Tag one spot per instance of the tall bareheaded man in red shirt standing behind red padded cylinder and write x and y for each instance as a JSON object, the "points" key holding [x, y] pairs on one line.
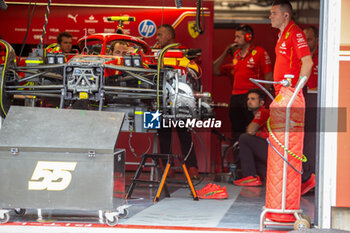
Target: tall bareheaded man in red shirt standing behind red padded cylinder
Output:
{"points": [[292, 52]]}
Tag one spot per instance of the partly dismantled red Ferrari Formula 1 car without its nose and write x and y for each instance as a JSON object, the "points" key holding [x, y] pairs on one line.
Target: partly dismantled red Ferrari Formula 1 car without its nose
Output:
{"points": [[136, 82]]}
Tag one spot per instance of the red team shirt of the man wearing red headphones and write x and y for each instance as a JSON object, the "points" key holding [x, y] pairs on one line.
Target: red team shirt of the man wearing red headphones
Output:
{"points": [[255, 65]]}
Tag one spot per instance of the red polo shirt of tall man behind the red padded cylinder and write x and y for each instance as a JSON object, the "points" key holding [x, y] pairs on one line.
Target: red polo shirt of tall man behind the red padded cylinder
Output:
{"points": [[290, 48]]}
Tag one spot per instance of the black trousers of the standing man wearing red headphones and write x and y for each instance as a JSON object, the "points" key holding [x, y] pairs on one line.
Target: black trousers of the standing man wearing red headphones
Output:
{"points": [[239, 115]]}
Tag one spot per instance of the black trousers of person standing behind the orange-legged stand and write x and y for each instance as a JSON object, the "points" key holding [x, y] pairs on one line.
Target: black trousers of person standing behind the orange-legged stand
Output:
{"points": [[185, 138]]}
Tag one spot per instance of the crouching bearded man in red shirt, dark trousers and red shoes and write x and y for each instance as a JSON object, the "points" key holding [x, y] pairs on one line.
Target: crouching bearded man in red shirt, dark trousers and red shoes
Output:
{"points": [[252, 143]]}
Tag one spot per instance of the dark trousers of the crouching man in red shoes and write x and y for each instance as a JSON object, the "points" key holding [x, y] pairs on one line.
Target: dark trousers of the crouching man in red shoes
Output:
{"points": [[253, 155]]}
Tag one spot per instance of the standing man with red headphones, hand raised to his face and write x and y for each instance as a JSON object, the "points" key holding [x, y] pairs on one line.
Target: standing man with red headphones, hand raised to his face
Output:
{"points": [[249, 61]]}
